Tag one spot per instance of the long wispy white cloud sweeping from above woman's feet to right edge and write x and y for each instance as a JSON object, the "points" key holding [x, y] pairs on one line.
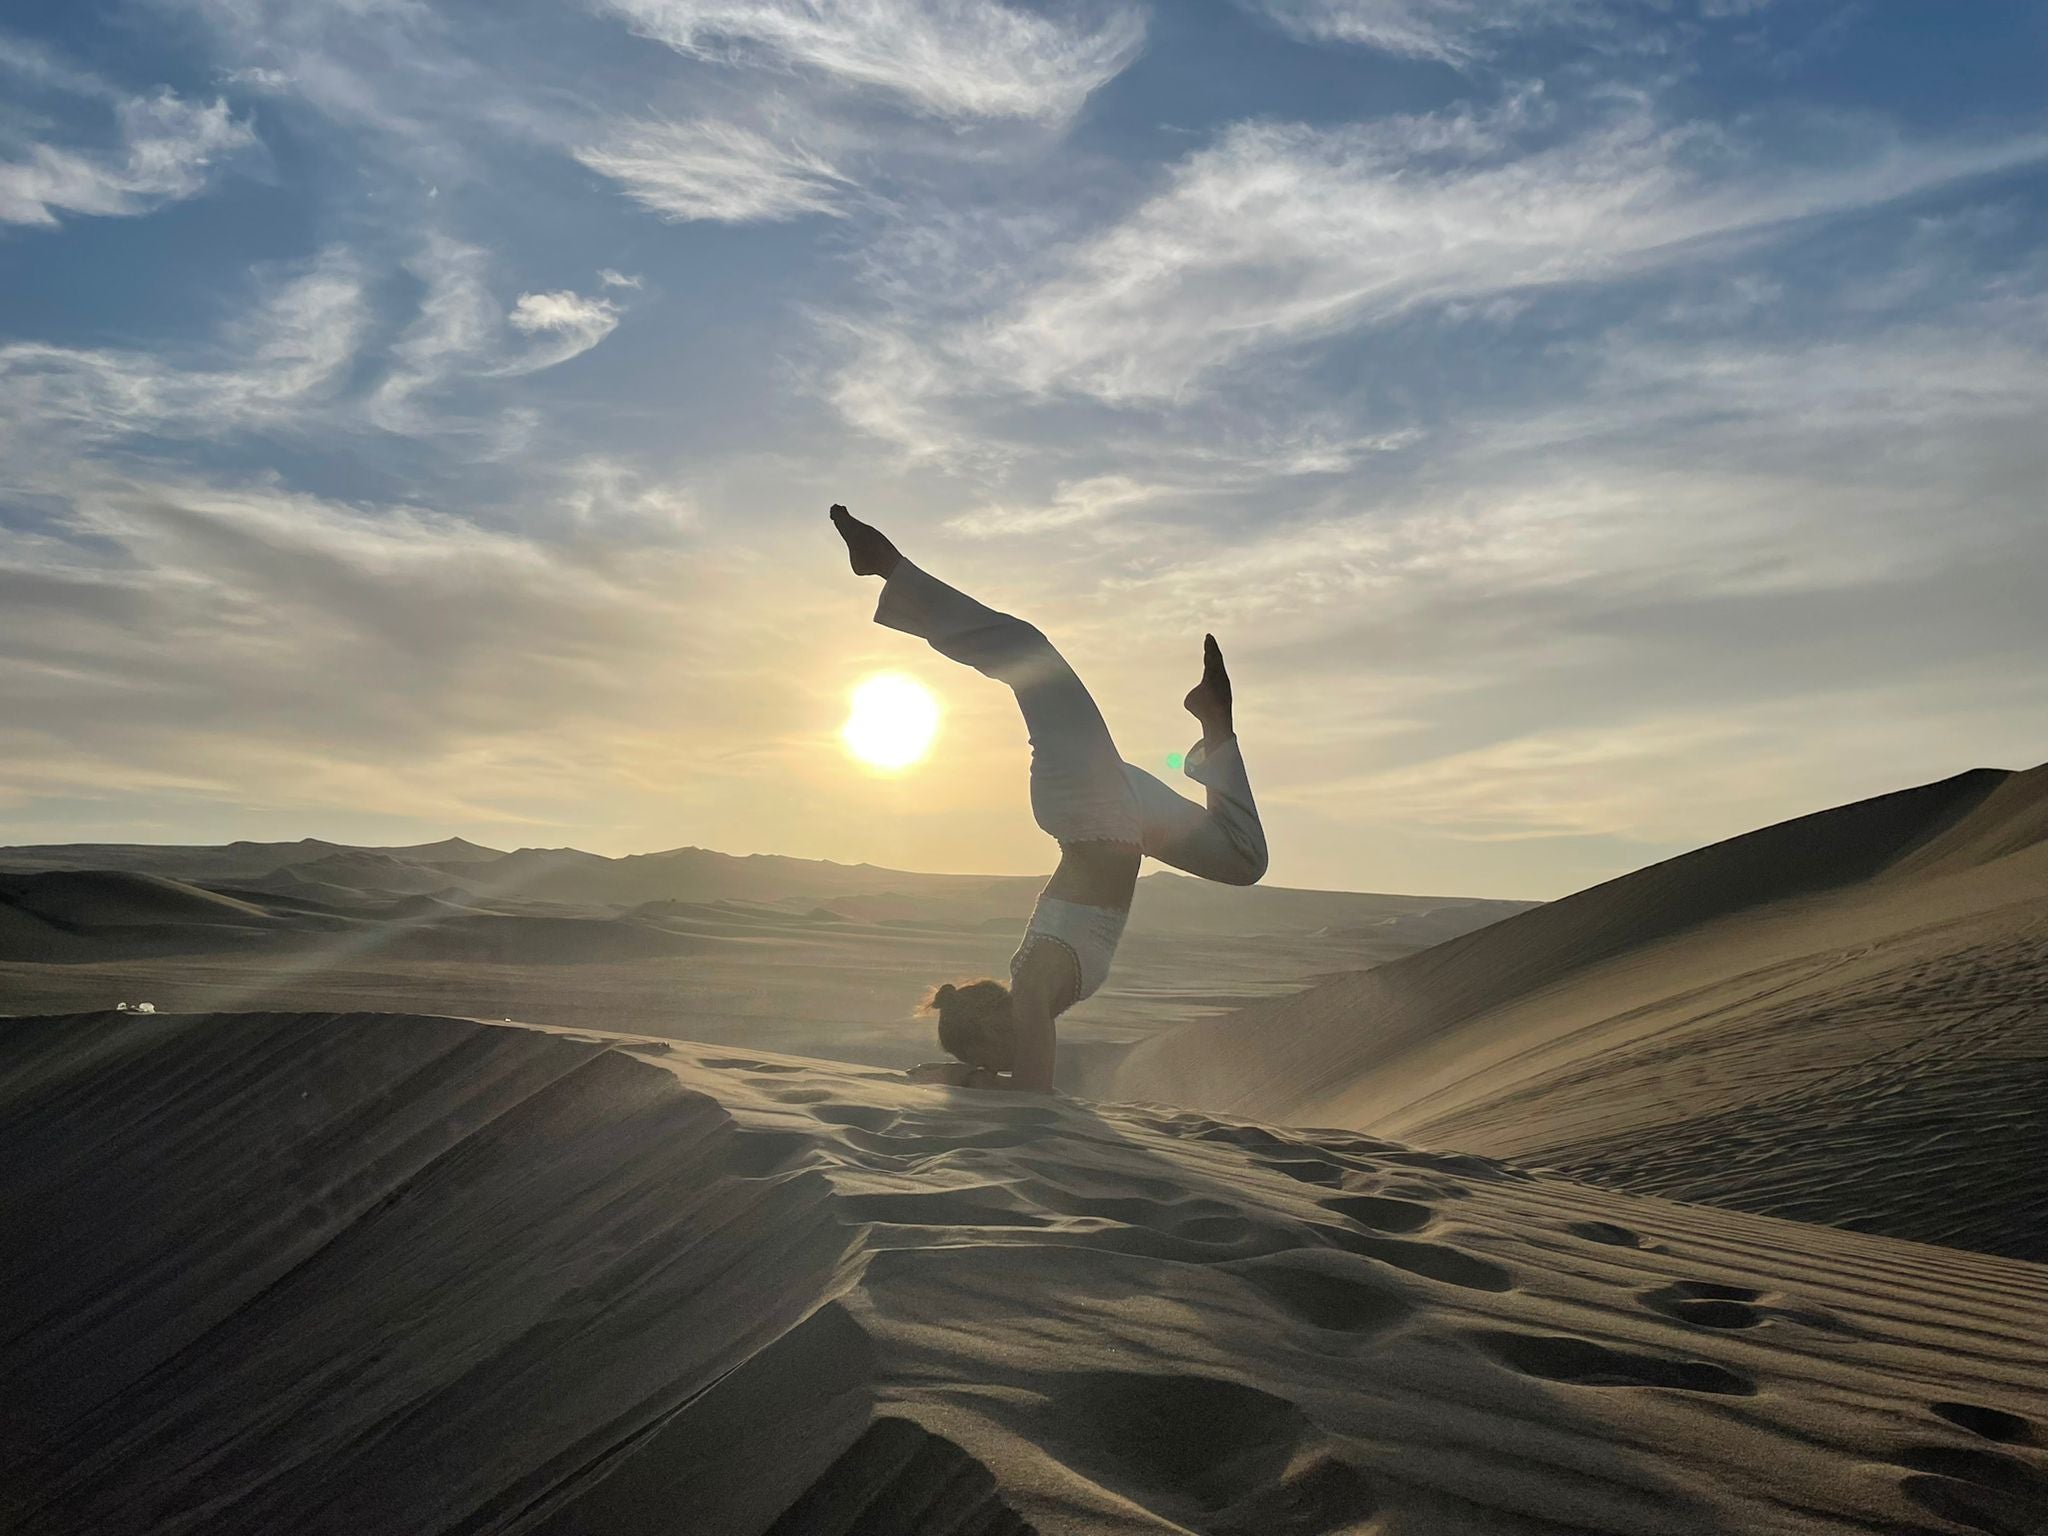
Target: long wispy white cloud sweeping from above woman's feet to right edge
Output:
{"points": [[1279, 237]]}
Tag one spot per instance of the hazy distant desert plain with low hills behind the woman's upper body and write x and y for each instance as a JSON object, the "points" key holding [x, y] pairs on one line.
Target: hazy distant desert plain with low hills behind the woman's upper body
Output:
{"points": [[777, 953]]}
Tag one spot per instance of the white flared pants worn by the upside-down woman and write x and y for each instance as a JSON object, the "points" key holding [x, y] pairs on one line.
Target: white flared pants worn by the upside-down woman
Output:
{"points": [[1080, 785]]}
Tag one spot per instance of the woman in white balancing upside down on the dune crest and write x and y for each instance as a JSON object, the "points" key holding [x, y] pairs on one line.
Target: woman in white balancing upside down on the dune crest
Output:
{"points": [[1105, 812]]}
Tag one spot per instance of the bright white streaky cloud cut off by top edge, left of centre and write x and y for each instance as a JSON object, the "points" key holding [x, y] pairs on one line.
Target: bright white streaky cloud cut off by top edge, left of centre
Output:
{"points": [[949, 58]]}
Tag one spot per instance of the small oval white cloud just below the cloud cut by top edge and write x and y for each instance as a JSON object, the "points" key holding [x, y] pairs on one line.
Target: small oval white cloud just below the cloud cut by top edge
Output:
{"points": [[716, 171]]}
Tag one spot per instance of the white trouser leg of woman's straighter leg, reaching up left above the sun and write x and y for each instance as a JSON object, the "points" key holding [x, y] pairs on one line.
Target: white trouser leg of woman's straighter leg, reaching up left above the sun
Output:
{"points": [[1078, 790]]}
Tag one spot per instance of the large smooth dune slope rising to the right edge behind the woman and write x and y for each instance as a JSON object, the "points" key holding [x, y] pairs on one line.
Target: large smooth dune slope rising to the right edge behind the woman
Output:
{"points": [[1838, 1019]]}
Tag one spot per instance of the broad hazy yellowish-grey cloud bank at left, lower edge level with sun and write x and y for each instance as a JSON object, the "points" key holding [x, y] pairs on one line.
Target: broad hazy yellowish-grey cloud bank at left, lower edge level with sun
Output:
{"points": [[216, 630]]}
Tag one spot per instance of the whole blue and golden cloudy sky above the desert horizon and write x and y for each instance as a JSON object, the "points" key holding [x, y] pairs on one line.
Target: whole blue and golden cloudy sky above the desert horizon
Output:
{"points": [[1590, 427]]}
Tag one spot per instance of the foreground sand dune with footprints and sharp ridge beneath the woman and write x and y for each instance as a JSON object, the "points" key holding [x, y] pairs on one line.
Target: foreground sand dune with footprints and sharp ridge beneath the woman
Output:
{"points": [[409, 1275]]}
